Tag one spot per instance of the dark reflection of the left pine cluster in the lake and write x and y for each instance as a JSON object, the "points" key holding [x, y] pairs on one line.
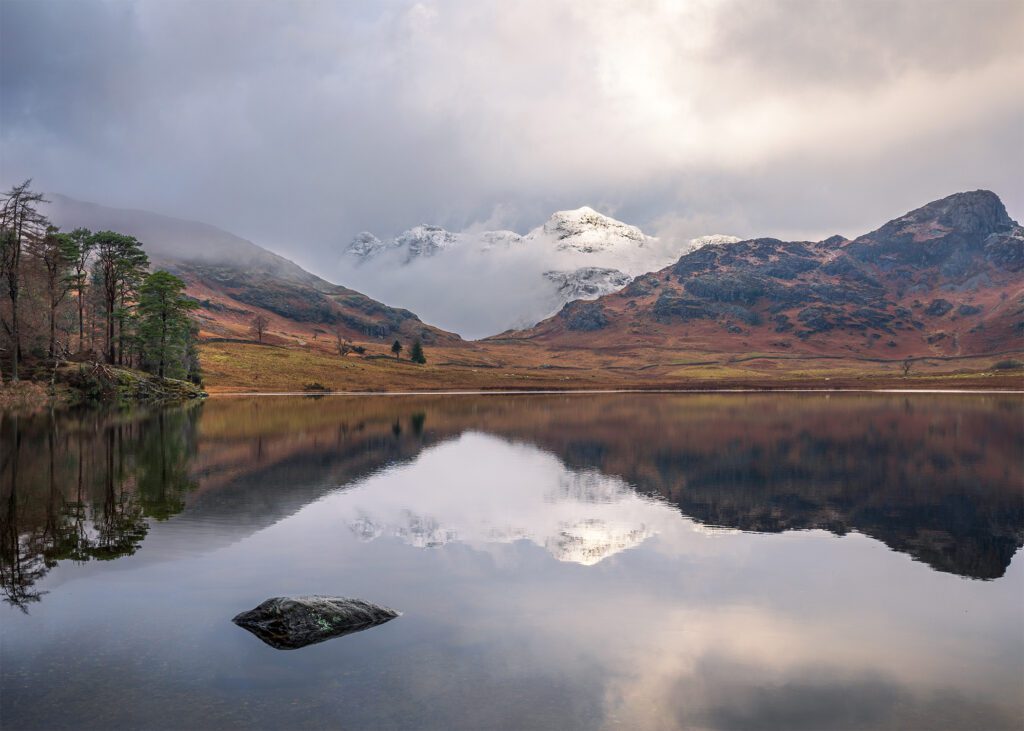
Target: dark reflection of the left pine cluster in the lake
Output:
{"points": [[83, 488]]}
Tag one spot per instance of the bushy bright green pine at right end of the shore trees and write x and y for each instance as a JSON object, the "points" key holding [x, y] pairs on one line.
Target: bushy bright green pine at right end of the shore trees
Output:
{"points": [[163, 324]]}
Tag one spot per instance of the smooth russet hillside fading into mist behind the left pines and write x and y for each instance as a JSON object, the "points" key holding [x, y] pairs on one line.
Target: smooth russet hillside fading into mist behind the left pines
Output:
{"points": [[235, 280]]}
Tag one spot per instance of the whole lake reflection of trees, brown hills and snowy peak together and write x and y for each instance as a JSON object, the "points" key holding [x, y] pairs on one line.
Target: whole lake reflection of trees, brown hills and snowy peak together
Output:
{"points": [[937, 478]]}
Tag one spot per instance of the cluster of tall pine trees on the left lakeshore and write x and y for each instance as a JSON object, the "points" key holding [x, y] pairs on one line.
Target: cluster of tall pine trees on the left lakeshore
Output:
{"points": [[87, 295]]}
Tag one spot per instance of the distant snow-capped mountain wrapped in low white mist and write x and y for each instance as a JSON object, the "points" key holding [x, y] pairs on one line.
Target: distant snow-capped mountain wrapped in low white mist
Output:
{"points": [[576, 254]]}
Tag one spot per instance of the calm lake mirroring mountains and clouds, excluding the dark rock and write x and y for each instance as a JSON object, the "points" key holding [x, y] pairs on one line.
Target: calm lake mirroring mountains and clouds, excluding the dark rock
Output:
{"points": [[563, 562]]}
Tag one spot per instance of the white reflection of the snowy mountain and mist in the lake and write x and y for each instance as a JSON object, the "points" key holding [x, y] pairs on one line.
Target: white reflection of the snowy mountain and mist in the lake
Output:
{"points": [[581, 518]]}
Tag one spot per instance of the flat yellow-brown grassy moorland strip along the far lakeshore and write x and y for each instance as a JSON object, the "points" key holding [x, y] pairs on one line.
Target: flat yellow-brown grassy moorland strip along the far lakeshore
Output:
{"points": [[246, 367]]}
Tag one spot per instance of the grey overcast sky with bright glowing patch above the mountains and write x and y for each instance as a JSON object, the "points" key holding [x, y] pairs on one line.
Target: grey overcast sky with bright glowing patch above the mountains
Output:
{"points": [[298, 124]]}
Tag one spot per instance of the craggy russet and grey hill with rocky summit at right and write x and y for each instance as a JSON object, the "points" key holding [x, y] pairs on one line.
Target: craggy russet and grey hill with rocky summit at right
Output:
{"points": [[945, 280]]}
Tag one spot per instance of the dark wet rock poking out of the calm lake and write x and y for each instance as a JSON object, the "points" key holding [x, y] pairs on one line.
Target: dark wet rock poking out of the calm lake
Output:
{"points": [[288, 624]]}
